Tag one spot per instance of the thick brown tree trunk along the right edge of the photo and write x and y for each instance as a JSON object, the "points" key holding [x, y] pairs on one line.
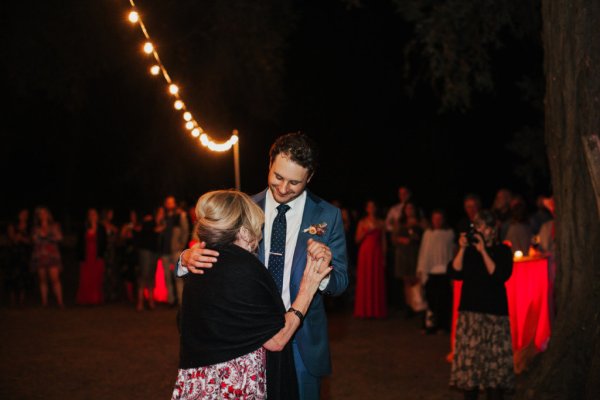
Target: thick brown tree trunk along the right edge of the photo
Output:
{"points": [[570, 367]]}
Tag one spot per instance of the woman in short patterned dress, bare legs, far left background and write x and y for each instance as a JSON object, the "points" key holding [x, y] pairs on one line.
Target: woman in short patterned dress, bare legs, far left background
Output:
{"points": [[45, 258]]}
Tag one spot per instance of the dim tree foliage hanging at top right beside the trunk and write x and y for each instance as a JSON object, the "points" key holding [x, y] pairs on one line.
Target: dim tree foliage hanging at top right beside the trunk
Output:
{"points": [[454, 41]]}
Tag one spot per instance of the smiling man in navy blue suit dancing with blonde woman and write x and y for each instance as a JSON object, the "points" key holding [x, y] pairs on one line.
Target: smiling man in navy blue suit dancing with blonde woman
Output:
{"points": [[312, 227]]}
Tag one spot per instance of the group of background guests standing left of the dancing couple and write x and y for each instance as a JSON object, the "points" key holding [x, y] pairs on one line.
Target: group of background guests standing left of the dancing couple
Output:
{"points": [[115, 261]]}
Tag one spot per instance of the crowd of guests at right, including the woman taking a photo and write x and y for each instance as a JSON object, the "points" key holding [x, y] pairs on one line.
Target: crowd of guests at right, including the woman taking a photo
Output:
{"points": [[423, 254]]}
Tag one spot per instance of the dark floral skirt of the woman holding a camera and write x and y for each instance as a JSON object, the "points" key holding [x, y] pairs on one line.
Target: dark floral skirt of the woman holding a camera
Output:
{"points": [[483, 356]]}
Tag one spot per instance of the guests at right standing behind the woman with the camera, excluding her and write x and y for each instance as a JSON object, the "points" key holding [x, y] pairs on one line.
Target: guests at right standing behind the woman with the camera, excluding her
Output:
{"points": [[401, 254]]}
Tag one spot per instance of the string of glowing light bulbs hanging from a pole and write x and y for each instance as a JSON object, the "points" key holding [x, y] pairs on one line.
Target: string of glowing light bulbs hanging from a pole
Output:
{"points": [[158, 68]]}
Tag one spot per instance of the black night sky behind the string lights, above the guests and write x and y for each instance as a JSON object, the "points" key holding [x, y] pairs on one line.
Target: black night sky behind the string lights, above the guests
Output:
{"points": [[86, 125]]}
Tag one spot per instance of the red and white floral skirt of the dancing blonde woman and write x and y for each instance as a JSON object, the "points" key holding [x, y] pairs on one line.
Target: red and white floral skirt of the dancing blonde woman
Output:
{"points": [[241, 378]]}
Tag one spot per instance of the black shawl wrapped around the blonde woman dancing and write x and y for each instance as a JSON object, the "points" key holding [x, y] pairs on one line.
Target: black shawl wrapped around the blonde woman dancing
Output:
{"points": [[231, 310]]}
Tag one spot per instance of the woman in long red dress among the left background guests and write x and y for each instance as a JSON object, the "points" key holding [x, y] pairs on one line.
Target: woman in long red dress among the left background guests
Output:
{"points": [[91, 269]]}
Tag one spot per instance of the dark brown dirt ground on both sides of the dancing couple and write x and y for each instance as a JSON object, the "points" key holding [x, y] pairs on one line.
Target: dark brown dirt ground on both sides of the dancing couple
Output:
{"points": [[114, 352]]}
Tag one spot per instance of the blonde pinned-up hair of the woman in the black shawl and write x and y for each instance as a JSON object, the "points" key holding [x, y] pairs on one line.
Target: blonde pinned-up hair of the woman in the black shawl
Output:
{"points": [[222, 213]]}
